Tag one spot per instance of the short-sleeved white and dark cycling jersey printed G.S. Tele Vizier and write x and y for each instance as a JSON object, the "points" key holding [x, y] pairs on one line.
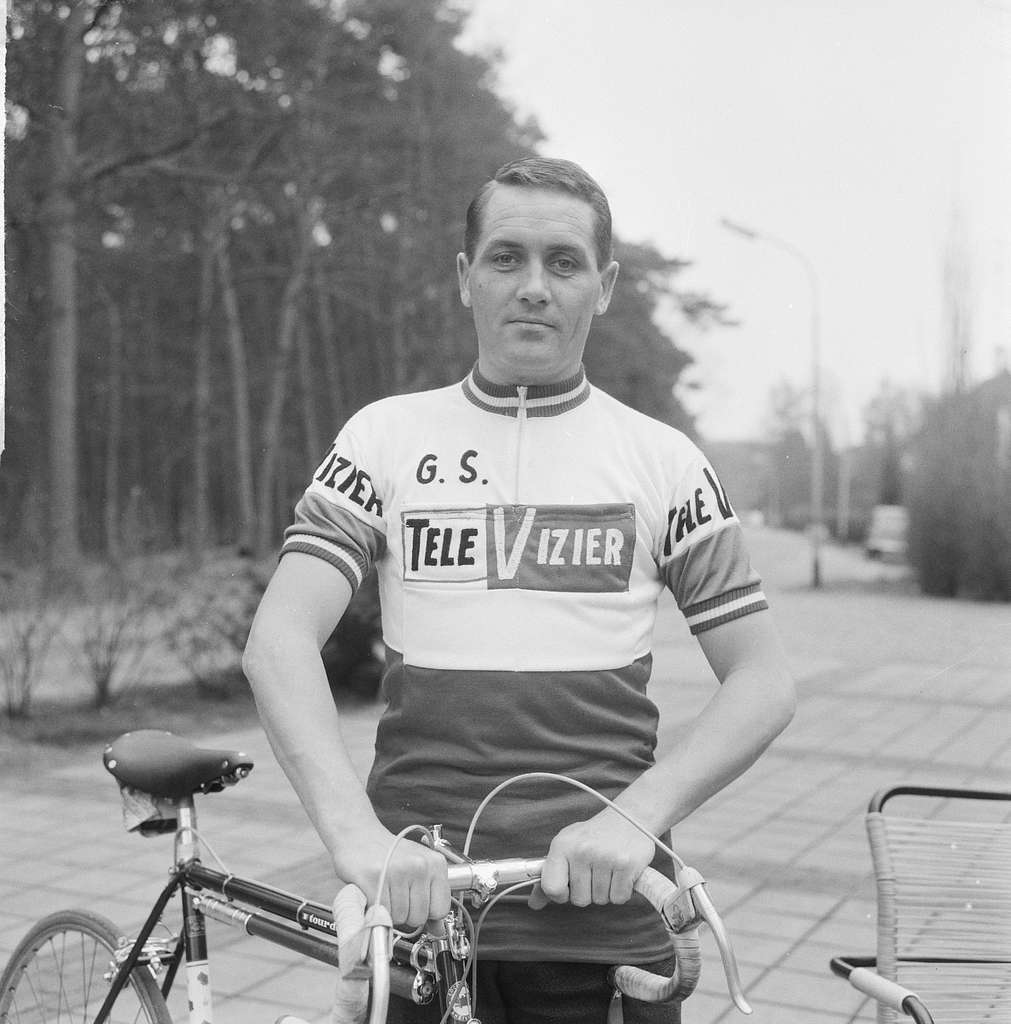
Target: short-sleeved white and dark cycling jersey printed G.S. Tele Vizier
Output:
{"points": [[523, 537]]}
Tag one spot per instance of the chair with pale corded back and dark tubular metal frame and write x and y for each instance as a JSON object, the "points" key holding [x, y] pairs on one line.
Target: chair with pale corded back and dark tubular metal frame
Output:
{"points": [[944, 880]]}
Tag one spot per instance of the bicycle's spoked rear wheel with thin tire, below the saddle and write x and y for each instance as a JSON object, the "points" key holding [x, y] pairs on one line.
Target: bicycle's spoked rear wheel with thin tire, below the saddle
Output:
{"points": [[56, 975]]}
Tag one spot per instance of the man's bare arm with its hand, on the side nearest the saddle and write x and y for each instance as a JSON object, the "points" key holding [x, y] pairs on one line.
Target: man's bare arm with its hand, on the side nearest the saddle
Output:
{"points": [[303, 604]]}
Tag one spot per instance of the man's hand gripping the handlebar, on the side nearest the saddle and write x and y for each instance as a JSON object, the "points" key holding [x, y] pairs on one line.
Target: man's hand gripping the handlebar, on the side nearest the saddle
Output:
{"points": [[417, 886]]}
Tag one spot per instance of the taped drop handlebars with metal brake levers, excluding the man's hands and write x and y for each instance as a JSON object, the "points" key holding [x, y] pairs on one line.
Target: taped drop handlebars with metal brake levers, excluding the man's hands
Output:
{"points": [[684, 907]]}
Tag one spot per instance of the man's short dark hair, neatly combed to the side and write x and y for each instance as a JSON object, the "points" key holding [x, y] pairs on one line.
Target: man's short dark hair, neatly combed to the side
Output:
{"points": [[544, 173]]}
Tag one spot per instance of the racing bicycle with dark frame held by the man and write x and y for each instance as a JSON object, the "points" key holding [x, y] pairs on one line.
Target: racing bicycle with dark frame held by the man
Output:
{"points": [[74, 965]]}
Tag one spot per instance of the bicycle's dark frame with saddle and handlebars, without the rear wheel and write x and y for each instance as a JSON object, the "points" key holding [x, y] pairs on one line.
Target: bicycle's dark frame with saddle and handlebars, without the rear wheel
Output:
{"points": [[413, 968]]}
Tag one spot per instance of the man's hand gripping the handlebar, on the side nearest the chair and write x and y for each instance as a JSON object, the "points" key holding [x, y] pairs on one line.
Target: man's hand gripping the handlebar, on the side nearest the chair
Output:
{"points": [[594, 862]]}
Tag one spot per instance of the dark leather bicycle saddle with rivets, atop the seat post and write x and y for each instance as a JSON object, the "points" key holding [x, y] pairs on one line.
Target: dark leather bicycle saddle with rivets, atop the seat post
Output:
{"points": [[165, 765]]}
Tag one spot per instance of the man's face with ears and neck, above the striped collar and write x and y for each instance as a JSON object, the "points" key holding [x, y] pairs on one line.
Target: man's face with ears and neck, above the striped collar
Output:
{"points": [[534, 285]]}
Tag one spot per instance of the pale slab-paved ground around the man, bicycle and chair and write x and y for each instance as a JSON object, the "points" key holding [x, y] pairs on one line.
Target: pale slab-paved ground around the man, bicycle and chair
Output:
{"points": [[894, 689]]}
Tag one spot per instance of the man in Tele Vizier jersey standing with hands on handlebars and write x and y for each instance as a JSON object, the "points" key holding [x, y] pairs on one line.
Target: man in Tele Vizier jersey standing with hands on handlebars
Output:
{"points": [[524, 525]]}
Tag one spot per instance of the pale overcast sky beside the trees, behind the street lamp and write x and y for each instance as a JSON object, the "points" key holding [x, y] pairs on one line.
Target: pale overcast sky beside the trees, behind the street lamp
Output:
{"points": [[866, 135]]}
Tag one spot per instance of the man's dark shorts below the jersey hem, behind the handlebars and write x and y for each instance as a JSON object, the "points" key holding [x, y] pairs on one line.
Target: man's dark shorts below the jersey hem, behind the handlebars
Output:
{"points": [[541, 993]]}
